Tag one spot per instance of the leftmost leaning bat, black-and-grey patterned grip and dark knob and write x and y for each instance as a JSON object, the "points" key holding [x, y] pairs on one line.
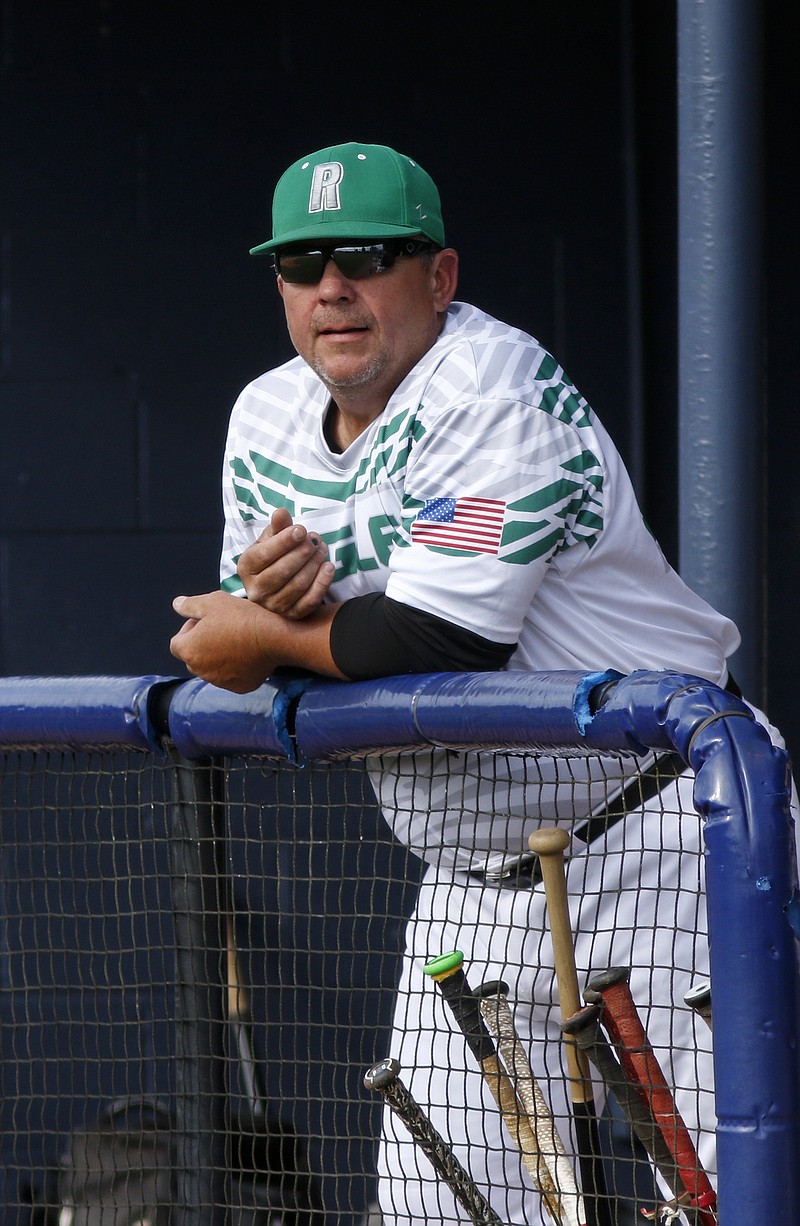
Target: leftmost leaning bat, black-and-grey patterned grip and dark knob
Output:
{"points": [[385, 1079]]}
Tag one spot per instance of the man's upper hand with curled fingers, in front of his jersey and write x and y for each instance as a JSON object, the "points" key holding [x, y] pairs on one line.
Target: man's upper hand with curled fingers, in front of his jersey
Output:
{"points": [[287, 569]]}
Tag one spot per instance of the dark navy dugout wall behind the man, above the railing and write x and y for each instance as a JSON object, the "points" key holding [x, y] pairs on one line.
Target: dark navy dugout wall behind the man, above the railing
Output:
{"points": [[139, 150]]}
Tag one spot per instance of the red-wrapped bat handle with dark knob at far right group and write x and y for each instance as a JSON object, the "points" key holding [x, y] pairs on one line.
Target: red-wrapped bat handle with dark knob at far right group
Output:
{"points": [[628, 1034]]}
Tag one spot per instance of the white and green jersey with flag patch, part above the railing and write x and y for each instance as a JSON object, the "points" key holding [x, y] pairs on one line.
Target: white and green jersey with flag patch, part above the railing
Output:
{"points": [[487, 493]]}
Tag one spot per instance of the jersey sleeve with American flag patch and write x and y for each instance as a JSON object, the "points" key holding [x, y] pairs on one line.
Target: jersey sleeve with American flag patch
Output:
{"points": [[496, 491]]}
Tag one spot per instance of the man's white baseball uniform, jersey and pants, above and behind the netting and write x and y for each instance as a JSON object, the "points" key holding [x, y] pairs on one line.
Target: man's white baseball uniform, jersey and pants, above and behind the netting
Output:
{"points": [[489, 495]]}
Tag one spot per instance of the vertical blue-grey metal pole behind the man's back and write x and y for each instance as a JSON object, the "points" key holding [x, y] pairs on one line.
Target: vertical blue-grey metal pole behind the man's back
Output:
{"points": [[721, 378]]}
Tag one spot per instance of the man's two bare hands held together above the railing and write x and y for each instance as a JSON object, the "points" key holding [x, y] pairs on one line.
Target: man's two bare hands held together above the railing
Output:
{"points": [[237, 644]]}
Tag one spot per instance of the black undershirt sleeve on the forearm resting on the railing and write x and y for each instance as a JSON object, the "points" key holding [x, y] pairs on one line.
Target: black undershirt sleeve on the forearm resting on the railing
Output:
{"points": [[374, 636]]}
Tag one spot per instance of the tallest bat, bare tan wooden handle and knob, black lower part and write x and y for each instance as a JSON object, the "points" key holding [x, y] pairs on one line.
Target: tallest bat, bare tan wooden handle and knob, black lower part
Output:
{"points": [[549, 844]]}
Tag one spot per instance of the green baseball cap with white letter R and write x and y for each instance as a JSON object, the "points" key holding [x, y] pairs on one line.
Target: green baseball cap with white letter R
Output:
{"points": [[356, 192]]}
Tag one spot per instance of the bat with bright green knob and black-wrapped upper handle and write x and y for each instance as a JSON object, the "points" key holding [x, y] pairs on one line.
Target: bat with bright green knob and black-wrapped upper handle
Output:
{"points": [[448, 973]]}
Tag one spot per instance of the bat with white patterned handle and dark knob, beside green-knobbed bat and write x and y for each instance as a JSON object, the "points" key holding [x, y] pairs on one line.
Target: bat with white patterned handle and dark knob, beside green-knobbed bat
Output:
{"points": [[554, 1165]]}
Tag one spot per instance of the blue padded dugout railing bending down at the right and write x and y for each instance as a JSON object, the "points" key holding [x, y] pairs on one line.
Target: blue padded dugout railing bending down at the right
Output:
{"points": [[743, 793]]}
